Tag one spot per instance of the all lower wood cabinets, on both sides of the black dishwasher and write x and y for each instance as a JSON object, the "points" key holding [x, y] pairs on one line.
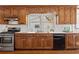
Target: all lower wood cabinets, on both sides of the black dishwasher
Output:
{"points": [[43, 41]]}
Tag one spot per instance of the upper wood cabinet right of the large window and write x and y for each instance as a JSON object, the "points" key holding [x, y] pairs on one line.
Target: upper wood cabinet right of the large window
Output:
{"points": [[67, 14]]}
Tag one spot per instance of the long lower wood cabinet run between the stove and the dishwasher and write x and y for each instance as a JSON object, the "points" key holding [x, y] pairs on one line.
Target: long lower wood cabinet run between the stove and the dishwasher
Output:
{"points": [[33, 41]]}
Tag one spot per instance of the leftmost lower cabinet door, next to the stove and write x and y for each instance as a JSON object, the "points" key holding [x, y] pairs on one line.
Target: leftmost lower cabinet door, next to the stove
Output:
{"points": [[19, 43]]}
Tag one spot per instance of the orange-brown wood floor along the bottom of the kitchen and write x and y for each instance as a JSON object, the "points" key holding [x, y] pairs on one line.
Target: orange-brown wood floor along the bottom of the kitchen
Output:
{"points": [[42, 52]]}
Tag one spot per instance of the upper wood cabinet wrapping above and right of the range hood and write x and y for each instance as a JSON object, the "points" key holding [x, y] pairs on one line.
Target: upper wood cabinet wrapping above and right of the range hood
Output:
{"points": [[19, 12]]}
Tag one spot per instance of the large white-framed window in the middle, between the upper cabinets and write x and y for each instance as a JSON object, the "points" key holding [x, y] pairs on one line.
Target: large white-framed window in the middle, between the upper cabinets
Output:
{"points": [[41, 22]]}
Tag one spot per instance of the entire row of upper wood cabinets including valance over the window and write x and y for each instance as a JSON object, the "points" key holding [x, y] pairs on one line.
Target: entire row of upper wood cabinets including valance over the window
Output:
{"points": [[67, 14]]}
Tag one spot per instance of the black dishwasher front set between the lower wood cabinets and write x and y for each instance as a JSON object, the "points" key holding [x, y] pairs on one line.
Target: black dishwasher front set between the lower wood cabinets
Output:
{"points": [[59, 41]]}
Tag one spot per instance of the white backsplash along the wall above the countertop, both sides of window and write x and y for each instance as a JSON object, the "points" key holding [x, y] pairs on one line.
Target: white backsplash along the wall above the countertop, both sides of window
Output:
{"points": [[55, 28]]}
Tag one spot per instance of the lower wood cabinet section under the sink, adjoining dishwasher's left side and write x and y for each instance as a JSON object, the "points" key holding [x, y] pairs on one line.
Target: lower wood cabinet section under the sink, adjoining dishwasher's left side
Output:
{"points": [[43, 41]]}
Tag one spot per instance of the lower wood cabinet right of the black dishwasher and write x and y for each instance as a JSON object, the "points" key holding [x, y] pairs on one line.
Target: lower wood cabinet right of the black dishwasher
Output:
{"points": [[72, 41]]}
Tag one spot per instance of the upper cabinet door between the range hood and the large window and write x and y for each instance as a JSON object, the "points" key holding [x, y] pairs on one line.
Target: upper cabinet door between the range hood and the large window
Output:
{"points": [[22, 15]]}
